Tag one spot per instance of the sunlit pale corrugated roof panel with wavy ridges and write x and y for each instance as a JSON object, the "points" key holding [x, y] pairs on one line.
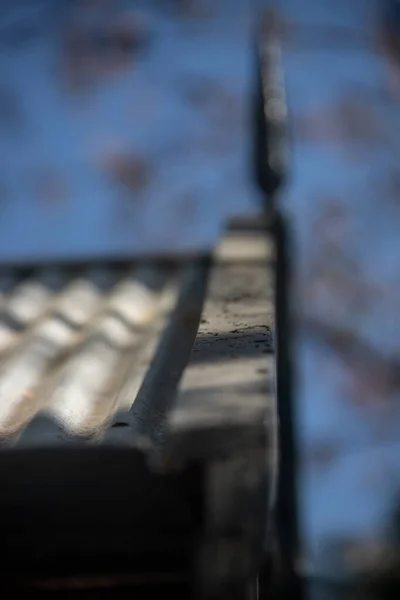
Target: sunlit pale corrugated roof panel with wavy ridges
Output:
{"points": [[69, 337]]}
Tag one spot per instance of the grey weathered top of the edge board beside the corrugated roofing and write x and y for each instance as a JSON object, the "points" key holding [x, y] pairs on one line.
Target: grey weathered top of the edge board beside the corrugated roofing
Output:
{"points": [[226, 396]]}
